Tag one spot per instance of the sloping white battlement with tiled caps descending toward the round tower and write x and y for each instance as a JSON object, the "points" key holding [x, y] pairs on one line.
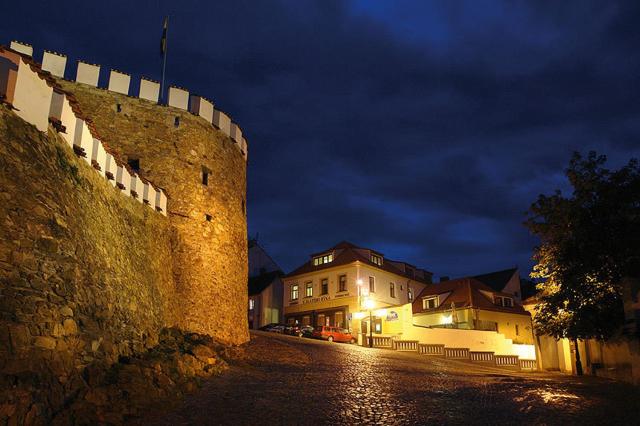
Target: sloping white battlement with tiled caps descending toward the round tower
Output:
{"points": [[38, 99]]}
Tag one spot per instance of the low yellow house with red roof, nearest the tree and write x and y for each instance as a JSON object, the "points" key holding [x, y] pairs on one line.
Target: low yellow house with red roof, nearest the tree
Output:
{"points": [[467, 303]]}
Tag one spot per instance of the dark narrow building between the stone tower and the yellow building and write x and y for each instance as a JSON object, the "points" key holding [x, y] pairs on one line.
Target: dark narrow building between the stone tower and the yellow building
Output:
{"points": [[265, 288]]}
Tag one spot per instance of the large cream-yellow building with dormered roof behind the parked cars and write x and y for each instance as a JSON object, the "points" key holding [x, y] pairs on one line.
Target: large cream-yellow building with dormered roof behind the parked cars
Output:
{"points": [[332, 286]]}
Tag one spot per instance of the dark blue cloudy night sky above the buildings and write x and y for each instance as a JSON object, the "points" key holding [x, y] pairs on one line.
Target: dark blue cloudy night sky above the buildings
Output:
{"points": [[421, 129]]}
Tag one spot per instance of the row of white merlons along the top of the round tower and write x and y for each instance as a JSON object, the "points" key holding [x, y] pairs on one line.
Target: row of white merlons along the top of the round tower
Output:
{"points": [[120, 82]]}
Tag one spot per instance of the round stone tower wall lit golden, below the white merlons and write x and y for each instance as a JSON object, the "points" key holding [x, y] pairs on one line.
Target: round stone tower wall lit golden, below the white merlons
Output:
{"points": [[174, 148]]}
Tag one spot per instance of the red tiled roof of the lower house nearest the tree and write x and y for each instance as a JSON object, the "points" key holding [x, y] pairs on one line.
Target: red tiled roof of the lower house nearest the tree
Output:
{"points": [[464, 293]]}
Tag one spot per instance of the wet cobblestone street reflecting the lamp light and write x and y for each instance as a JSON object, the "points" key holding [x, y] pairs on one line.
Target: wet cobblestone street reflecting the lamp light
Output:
{"points": [[289, 380]]}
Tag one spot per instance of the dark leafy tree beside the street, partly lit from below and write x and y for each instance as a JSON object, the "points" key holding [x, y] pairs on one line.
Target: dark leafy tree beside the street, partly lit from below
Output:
{"points": [[589, 242]]}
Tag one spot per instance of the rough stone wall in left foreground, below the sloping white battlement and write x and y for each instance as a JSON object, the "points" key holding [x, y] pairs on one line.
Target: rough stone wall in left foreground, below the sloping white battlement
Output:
{"points": [[86, 273]]}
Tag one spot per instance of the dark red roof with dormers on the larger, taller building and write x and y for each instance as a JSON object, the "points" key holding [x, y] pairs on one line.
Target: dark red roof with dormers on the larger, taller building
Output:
{"points": [[345, 253]]}
